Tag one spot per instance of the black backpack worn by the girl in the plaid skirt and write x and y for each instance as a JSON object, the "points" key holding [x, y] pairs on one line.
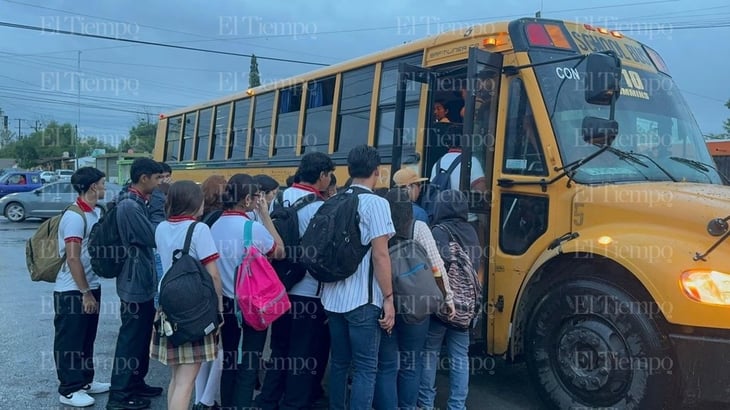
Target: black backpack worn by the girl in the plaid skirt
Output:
{"points": [[187, 297]]}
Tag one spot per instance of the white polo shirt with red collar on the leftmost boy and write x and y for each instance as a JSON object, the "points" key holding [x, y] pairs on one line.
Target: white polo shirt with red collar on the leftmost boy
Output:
{"points": [[71, 229]]}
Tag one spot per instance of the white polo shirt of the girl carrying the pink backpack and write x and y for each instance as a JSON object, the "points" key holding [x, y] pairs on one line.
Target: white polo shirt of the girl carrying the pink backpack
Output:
{"points": [[227, 234]]}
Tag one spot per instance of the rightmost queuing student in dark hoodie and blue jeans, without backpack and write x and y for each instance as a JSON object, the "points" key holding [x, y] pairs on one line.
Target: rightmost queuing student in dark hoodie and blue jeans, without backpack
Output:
{"points": [[452, 209]]}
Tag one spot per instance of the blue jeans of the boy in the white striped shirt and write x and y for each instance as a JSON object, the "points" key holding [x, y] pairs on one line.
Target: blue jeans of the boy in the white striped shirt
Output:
{"points": [[355, 341]]}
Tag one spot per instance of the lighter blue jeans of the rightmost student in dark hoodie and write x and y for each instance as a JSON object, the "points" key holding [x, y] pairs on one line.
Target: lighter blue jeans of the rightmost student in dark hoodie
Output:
{"points": [[457, 344]]}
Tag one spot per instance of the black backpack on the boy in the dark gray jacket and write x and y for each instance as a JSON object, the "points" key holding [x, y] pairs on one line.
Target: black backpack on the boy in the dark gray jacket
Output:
{"points": [[105, 246]]}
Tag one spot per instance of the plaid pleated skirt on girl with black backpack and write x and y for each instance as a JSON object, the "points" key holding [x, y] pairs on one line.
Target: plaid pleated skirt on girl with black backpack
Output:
{"points": [[197, 351]]}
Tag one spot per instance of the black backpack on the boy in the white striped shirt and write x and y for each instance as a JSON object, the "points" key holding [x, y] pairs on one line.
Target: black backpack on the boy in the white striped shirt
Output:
{"points": [[331, 244]]}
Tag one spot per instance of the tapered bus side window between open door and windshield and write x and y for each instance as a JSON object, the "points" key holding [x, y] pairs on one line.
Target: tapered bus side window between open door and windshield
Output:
{"points": [[523, 152]]}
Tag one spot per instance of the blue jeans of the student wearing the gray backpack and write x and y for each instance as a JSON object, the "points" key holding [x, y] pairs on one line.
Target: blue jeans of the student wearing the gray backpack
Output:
{"points": [[396, 385]]}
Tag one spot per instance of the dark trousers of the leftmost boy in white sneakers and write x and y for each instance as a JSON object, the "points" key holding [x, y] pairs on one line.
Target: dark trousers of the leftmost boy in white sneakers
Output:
{"points": [[73, 342]]}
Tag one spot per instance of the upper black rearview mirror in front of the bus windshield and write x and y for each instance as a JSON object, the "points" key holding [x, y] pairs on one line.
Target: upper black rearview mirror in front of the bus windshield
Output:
{"points": [[603, 78]]}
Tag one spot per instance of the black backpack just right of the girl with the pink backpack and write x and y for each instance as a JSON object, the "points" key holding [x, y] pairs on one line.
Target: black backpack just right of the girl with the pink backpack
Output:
{"points": [[286, 222]]}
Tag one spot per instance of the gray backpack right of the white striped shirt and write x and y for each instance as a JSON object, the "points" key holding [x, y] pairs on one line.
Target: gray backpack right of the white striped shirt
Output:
{"points": [[416, 293]]}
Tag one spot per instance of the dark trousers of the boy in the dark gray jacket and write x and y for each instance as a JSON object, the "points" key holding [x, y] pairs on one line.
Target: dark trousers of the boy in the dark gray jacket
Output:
{"points": [[132, 355]]}
